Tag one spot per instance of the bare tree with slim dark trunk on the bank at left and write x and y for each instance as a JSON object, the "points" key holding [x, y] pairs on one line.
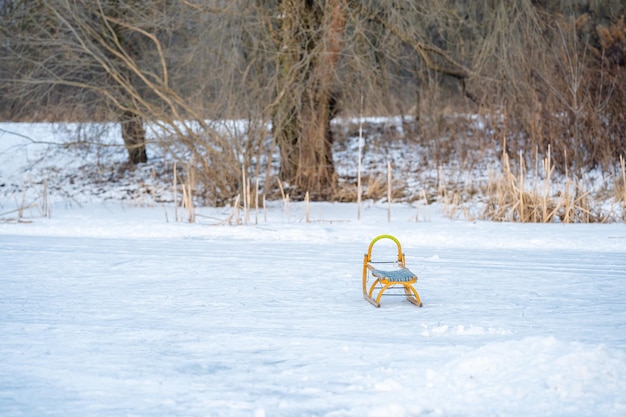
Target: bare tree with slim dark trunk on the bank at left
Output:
{"points": [[84, 48]]}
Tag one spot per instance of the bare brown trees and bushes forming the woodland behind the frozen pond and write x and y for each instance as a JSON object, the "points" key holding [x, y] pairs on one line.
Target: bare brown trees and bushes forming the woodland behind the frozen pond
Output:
{"points": [[547, 79]]}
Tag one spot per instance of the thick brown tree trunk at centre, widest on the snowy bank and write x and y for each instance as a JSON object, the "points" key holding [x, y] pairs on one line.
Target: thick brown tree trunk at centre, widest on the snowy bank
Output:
{"points": [[311, 40]]}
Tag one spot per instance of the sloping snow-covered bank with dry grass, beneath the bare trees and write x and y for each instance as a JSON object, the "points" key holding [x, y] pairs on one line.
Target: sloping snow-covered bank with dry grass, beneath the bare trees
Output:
{"points": [[72, 164]]}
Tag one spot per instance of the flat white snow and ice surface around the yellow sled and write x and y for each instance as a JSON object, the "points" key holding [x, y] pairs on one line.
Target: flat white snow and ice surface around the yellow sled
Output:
{"points": [[111, 308]]}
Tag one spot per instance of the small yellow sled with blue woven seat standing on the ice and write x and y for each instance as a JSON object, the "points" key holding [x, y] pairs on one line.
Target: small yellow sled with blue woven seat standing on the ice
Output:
{"points": [[383, 280]]}
